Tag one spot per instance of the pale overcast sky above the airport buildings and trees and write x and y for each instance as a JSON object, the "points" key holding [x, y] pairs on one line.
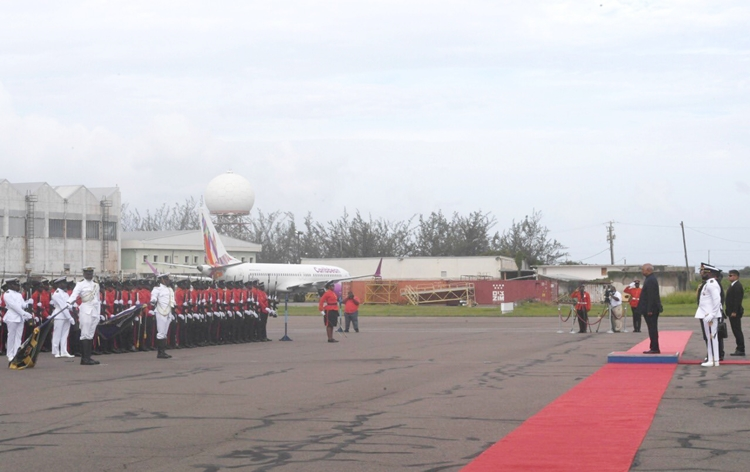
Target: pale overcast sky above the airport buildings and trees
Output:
{"points": [[631, 112]]}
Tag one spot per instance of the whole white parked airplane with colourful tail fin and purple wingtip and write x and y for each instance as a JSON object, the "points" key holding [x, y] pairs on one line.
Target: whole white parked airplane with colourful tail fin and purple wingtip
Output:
{"points": [[277, 277]]}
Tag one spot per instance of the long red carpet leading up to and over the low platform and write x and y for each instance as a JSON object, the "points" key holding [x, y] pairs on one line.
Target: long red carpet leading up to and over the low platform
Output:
{"points": [[598, 425]]}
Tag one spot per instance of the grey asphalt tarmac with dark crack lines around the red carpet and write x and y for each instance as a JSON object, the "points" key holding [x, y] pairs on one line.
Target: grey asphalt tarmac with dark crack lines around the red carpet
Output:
{"points": [[404, 394]]}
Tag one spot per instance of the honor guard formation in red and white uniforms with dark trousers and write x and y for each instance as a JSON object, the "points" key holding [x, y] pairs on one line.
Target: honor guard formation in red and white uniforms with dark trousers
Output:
{"points": [[195, 313]]}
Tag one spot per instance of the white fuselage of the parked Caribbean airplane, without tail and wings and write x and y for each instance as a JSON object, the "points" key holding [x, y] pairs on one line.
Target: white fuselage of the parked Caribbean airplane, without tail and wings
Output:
{"points": [[279, 277]]}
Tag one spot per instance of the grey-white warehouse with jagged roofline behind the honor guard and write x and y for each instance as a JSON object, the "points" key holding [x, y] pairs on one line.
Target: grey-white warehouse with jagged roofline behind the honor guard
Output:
{"points": [[49, 231]]}
